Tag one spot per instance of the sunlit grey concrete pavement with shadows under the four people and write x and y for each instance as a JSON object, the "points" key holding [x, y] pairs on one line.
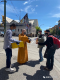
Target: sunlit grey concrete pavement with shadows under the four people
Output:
{"points": [[32, 70]]}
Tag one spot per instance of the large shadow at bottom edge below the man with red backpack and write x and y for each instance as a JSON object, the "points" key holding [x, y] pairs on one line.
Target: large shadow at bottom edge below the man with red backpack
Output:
{"points": [[39, 75]]}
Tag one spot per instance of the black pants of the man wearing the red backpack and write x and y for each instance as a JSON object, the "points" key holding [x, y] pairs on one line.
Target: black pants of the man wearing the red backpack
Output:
{"points": [[50, 58]]}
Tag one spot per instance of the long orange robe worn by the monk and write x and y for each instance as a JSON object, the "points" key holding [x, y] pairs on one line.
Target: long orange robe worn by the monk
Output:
{"points": [[22, 51]]}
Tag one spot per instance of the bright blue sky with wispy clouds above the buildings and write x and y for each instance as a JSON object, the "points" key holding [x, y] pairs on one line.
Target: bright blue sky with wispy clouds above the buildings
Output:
{"points": [[46, 11]]}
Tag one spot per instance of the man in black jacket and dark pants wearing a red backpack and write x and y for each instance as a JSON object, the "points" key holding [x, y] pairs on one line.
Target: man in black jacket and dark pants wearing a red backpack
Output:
{"points": [[50, 51]]}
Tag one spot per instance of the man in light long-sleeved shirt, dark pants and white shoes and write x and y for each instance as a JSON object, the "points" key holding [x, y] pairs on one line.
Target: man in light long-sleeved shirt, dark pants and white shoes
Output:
{"points": [[7, 46]]}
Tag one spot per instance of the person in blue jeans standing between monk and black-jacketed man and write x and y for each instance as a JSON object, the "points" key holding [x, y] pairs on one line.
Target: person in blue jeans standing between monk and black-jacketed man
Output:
{"points": [[40, 39]]}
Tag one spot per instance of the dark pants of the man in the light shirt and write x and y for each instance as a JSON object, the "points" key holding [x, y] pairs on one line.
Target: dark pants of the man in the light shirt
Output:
{"points": [[8, 57]]}
